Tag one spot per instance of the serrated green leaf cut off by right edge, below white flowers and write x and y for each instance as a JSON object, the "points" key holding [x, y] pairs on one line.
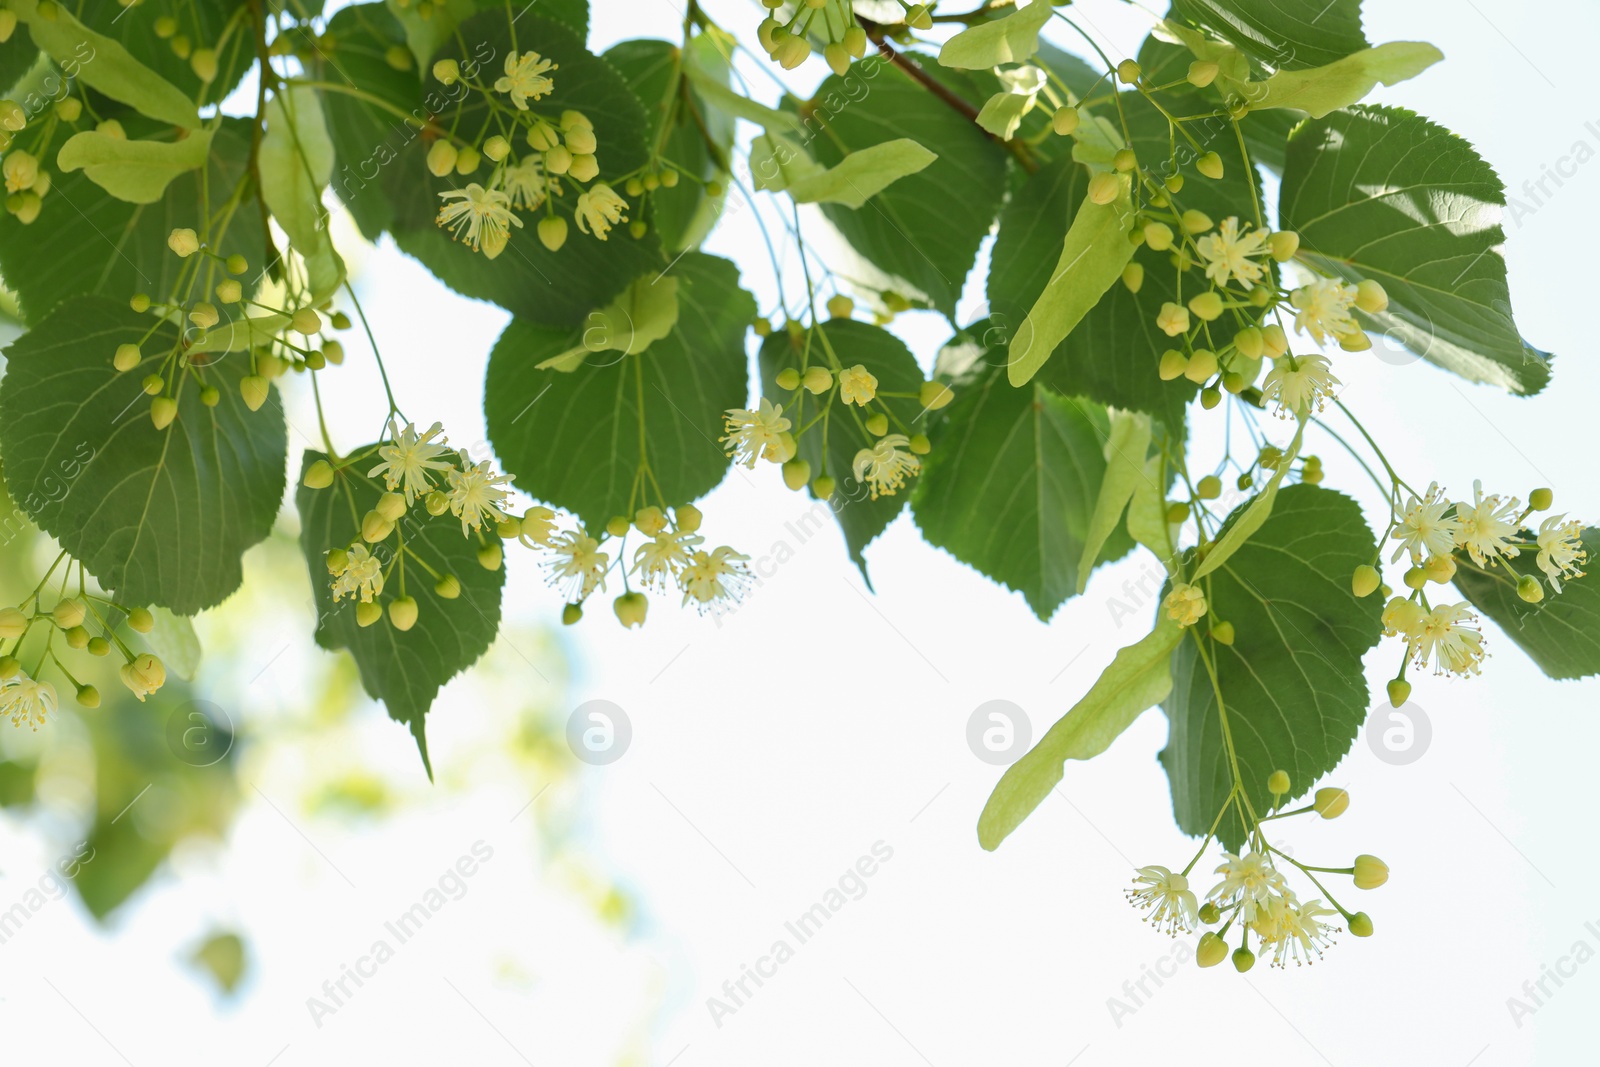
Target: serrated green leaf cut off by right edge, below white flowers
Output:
{"points": [[1561, 633]]}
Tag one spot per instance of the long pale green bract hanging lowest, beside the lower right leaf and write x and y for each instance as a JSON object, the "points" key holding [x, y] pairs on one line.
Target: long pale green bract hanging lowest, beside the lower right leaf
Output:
{"points": [[1138, 679]]}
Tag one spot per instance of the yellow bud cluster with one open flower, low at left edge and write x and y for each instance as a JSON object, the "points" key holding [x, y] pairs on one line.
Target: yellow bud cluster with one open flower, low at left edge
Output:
{"points": [[86, 623]]}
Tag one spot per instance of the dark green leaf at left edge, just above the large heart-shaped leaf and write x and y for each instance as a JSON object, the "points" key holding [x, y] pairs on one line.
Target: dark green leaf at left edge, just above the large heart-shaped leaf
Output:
{"points": [[103, 246]]}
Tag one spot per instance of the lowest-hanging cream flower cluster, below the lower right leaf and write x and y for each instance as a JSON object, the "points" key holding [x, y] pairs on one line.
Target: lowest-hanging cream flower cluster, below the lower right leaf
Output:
{"points": [[1254, 892]]}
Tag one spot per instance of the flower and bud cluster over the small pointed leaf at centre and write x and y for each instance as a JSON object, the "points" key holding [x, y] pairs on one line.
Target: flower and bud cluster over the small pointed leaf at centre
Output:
{"points": [[846, 401]]}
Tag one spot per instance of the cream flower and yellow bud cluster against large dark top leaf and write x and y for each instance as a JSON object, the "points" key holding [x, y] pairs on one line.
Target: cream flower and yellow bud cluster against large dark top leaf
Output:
{"points": [[535, 156]]}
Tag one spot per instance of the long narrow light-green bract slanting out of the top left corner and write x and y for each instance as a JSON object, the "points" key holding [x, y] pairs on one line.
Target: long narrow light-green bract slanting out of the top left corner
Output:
{"points": [[105, 65]]}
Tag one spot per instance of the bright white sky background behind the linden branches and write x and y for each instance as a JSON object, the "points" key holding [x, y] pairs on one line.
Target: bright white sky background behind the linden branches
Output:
{"points": [[775, 749]]}
